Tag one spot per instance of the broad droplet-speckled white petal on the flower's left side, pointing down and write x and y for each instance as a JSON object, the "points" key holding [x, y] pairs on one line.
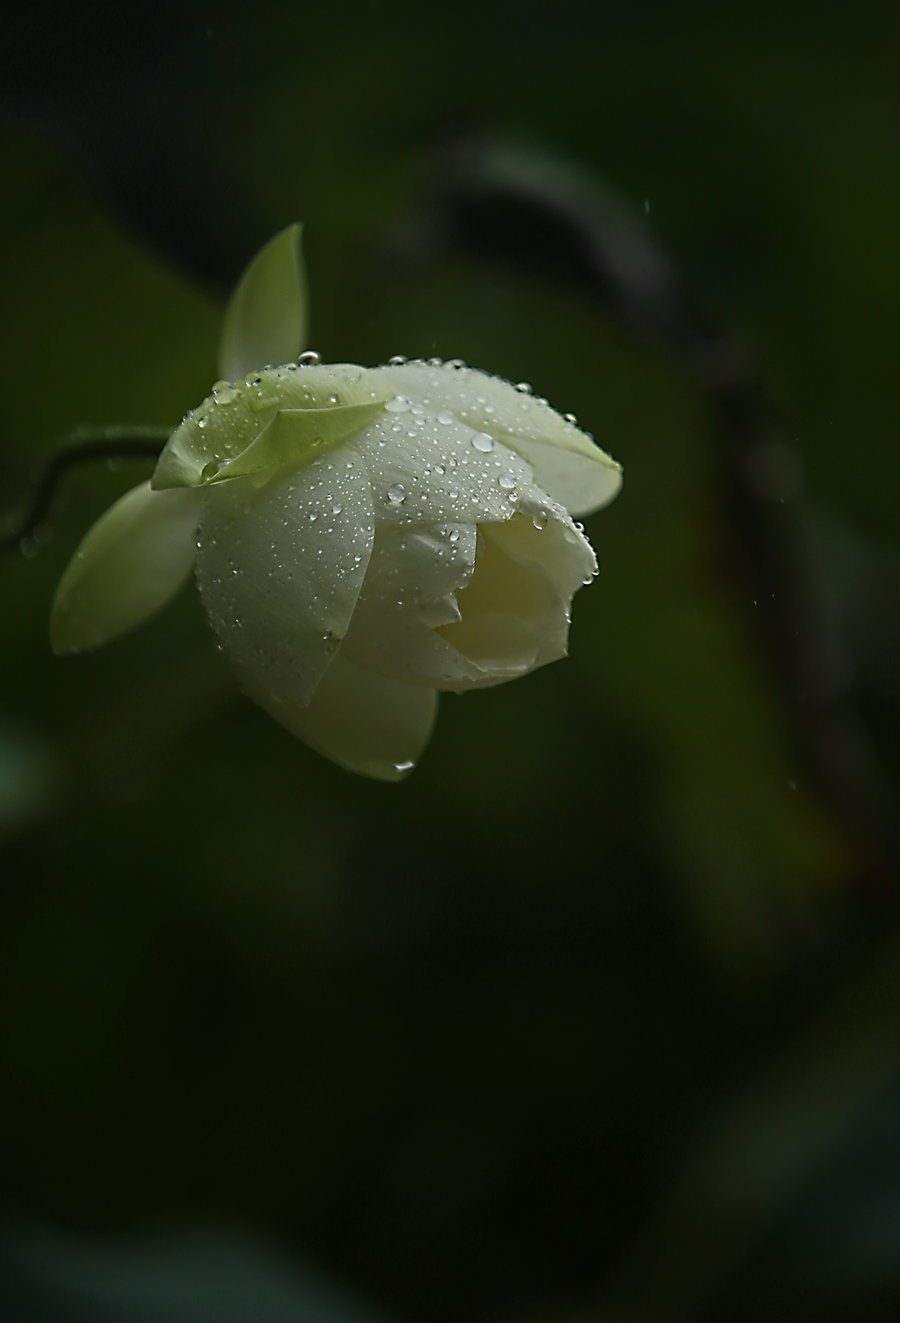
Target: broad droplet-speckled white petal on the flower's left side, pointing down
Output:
{"points": [[281, 568]]}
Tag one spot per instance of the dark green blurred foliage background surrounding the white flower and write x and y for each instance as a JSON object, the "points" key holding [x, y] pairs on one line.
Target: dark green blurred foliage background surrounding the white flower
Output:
{"points": [[596, 1018]]}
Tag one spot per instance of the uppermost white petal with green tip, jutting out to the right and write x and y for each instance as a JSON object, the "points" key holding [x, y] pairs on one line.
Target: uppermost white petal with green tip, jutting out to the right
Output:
{"points": [[567, 462]]}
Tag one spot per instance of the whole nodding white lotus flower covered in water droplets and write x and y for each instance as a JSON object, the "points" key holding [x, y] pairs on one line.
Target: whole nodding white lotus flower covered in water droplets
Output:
{"points": [[362, 538]]}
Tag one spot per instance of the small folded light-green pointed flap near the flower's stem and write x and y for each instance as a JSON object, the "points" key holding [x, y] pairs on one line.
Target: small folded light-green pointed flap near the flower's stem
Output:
{"points": [[297, 436]]}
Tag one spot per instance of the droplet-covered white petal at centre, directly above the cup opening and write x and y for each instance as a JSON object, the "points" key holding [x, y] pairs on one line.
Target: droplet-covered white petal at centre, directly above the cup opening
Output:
{"points": [[428, 472]]}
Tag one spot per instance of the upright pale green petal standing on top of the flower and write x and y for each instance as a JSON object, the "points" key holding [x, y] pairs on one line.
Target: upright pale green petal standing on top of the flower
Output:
{"points": [[265, 323]]}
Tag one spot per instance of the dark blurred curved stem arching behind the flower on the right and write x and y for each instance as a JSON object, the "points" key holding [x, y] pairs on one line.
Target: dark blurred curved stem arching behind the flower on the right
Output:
{"points": [[527, 212]]}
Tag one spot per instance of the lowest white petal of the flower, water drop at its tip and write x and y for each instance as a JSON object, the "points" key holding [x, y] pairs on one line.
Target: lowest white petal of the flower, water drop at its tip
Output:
{"points": [[363, 722]]}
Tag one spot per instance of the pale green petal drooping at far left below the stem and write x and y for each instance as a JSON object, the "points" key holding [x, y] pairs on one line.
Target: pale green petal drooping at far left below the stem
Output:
{"points": [[130, 564]]}
